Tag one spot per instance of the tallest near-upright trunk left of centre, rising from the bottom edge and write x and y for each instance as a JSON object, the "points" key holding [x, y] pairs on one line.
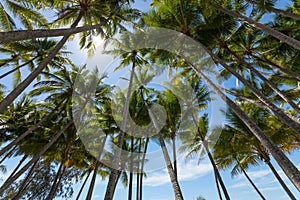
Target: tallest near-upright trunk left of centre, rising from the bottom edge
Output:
{"points": [[113, 175]]}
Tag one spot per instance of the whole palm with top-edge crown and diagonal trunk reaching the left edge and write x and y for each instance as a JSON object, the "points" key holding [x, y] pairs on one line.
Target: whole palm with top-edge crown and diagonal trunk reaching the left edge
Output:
{"points": [[88, 11]]}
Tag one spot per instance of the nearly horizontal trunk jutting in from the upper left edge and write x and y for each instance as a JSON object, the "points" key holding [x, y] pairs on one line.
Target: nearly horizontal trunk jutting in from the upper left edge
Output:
{"points": [[13, 36]]}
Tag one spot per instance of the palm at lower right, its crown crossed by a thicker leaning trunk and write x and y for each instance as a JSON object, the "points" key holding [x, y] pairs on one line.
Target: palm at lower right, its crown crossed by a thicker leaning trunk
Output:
{"points": [[246, 155]]}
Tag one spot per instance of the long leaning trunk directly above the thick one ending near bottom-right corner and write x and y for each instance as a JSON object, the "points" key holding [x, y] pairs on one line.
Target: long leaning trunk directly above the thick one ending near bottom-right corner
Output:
{"points": [[278, 112]]}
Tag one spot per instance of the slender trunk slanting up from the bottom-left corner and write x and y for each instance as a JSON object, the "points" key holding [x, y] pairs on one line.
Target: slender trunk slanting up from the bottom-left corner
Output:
{"points": [[8, 182]]}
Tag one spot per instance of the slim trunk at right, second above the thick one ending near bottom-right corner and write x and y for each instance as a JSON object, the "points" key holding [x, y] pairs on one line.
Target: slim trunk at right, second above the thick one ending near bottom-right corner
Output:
{"points": [[269, 83]]}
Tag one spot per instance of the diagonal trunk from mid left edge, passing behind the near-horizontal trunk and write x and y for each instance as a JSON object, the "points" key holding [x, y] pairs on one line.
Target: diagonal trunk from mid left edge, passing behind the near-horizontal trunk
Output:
{"points": [[24, 84]]}
